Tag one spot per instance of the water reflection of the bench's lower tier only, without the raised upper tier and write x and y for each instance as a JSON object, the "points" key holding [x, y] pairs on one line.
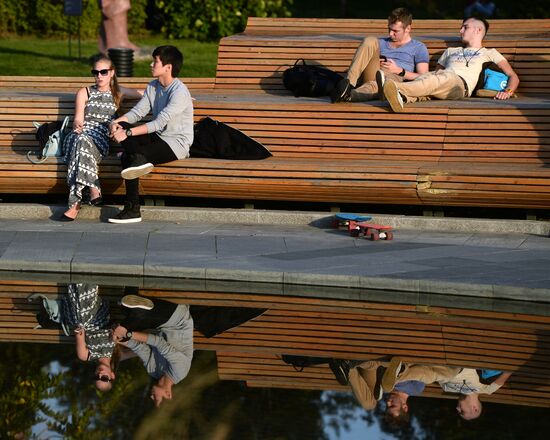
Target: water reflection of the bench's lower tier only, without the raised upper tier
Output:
{"points": [[318, 326]]}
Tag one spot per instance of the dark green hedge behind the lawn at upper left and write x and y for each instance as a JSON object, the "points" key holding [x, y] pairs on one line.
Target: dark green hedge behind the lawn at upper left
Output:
{"points": [[199, 19]]}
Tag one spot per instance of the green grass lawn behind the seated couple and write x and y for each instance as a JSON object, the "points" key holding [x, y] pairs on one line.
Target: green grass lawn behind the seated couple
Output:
{"points": [[50, 57]]}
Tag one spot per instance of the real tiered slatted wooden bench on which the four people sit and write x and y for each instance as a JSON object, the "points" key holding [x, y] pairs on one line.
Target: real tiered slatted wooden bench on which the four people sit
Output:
{"points": [[476, 152]]}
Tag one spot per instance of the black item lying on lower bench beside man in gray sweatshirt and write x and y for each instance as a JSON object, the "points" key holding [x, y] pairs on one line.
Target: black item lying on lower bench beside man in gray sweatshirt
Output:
{"points": [[216, 140]]}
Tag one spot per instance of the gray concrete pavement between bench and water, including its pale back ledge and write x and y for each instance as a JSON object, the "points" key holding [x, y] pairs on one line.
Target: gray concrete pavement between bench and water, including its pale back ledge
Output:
{"points": [[488, 259]]}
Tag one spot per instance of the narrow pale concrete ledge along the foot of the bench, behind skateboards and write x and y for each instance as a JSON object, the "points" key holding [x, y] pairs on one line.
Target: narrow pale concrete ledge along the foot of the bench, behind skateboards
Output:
{"points": [[267, 217]]}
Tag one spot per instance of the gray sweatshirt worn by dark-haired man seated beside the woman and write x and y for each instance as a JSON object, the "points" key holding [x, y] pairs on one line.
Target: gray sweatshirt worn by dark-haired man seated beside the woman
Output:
{"points": [[172, 109]]}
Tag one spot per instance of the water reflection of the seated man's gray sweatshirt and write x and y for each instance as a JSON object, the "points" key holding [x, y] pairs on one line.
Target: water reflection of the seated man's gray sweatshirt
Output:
{"points": [[169, 348]]}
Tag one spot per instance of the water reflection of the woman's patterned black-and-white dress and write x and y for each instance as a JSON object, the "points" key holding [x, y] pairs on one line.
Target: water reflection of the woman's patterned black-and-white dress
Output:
{"points": [[83, 307]]}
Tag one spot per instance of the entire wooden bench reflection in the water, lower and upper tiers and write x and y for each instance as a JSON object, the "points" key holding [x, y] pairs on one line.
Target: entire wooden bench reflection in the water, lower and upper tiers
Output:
{"points": [[316, 326]]}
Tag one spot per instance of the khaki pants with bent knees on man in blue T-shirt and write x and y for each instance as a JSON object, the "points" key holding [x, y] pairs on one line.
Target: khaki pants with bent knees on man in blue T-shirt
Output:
{"points": [[363, 67]]}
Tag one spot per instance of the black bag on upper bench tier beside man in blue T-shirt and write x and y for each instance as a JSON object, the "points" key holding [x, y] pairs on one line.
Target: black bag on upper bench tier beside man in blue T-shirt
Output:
{"points": [[309, 80]]}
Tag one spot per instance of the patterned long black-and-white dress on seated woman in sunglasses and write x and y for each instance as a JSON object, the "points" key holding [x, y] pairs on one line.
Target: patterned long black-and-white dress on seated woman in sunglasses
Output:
{"points": [[83, 151]]}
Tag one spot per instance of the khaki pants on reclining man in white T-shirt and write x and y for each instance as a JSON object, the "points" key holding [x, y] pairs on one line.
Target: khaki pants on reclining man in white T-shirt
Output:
{"points": [[442, 84]]}
